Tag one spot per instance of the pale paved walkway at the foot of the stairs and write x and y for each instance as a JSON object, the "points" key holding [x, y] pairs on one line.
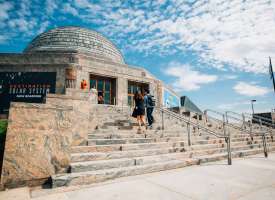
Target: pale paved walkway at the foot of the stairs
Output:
{"points": [[250, 178]]}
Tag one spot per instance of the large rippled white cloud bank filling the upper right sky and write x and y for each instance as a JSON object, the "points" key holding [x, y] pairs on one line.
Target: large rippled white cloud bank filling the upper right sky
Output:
{"points": [[238, 33]]}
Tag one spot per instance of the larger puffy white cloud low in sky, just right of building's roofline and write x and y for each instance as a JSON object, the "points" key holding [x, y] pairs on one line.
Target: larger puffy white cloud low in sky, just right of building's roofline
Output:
{"points": [[186, 78]]}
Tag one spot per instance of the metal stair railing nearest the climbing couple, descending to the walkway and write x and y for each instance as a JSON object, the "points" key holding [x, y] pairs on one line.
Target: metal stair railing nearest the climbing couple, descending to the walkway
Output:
{"points": [[225, 135]]}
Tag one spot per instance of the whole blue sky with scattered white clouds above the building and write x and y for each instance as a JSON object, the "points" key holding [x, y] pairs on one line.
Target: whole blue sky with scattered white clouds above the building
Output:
{"points": [[214, 51]]}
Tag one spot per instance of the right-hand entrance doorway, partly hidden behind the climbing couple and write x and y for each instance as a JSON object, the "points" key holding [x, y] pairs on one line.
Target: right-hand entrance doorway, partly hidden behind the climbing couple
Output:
{"points": [[133, 87]]}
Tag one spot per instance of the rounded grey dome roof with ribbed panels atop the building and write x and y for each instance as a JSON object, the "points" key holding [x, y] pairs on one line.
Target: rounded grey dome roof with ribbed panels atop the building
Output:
{"points": [[75, 39]]}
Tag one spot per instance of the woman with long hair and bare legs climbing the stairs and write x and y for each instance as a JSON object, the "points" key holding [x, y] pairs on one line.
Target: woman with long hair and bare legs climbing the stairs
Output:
{"points": [[139, 110]]}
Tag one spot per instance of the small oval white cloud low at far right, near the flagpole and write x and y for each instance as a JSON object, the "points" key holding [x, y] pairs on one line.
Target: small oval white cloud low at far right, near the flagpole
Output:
{"points": [[250, 89]]}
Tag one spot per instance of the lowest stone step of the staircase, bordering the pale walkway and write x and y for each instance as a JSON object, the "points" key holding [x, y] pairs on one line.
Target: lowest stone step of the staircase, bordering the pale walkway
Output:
{"points": [[89, 177]]}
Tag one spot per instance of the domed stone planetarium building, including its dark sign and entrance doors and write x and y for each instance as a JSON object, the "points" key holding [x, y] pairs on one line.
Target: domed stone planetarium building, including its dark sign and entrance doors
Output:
{"points": [[62, 58]]}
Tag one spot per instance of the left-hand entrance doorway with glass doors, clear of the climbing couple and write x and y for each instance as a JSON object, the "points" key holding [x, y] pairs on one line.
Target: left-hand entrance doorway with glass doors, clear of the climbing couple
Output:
{"points": [[106, 87]]}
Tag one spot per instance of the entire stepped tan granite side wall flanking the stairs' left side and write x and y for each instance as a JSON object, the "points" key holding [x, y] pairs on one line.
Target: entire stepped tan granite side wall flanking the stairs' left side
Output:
{"points": [[40, 136]]}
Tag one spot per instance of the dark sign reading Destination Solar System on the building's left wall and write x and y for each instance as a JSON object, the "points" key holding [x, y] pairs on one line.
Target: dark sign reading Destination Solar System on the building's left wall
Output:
{"points": [[29, 87]]}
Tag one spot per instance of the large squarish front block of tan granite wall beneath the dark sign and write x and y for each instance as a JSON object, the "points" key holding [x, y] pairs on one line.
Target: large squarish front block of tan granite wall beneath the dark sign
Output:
{"points": [[38, 143]]}
